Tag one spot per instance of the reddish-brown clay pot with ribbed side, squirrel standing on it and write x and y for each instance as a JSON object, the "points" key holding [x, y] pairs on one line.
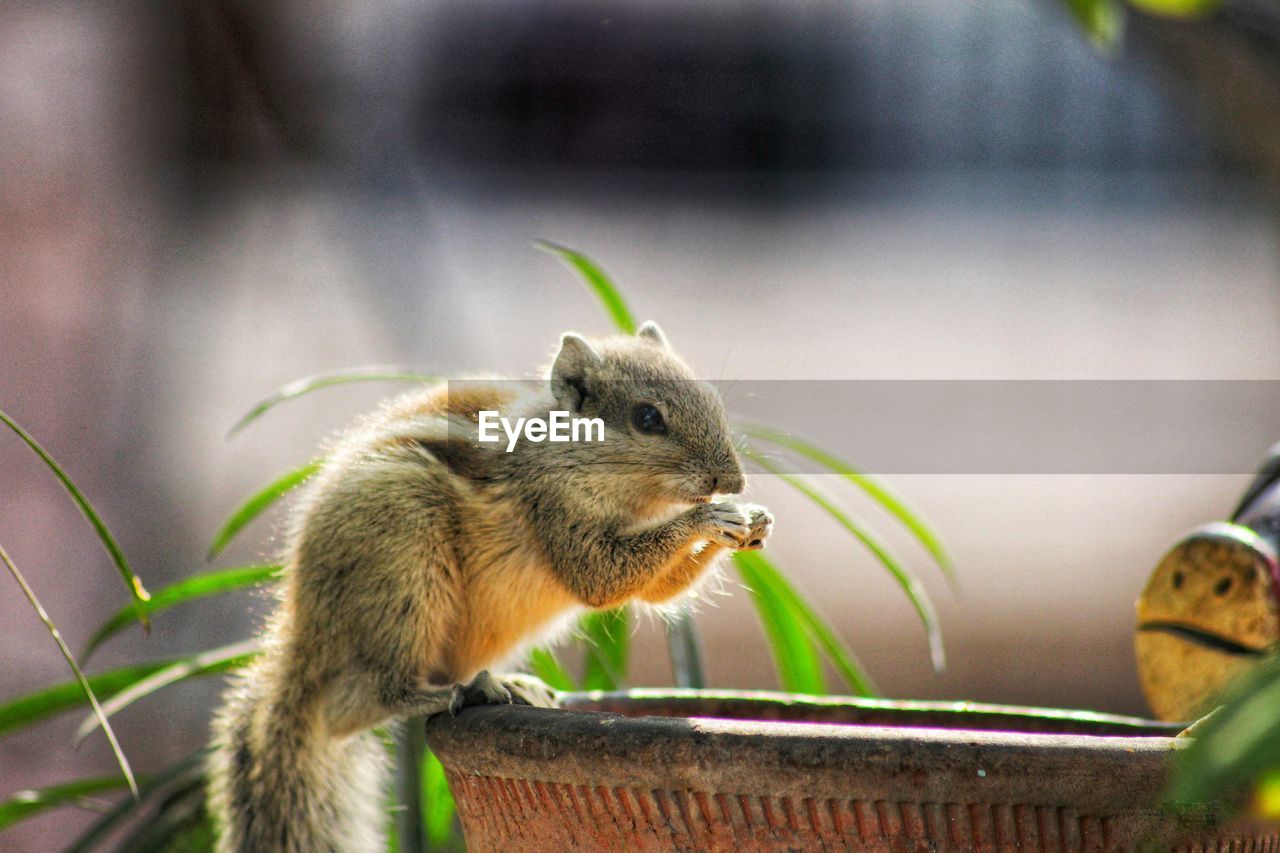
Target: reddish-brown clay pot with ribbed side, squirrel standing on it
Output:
{"points": [[703, 770]]}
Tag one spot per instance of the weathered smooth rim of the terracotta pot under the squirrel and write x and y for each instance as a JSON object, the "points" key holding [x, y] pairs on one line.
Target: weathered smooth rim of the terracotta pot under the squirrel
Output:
{"points": [[829, 760]]}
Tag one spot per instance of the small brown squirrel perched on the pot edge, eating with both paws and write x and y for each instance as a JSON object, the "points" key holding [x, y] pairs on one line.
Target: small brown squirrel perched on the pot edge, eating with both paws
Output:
{"points": [[419, 558]]}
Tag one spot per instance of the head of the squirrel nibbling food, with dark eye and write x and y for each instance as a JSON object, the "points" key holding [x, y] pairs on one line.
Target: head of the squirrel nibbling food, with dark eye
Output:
{"points": [[665, 432]]}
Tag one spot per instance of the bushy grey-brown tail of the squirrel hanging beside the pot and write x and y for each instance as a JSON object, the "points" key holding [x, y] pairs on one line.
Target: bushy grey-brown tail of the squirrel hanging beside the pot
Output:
{"points": [[280, 784]]}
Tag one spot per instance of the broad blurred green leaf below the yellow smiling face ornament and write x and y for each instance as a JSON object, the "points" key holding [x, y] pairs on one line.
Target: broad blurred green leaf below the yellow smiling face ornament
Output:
{"points": [[1236, 746]]}
